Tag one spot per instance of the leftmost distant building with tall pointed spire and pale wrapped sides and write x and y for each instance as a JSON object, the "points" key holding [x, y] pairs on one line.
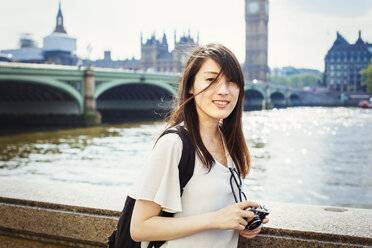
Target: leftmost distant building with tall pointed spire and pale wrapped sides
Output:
{"points": [[58, 47]]}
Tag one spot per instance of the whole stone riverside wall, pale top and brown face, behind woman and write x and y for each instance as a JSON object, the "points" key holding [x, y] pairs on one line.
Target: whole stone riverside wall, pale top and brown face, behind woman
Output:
{"points": [[46, 214]]}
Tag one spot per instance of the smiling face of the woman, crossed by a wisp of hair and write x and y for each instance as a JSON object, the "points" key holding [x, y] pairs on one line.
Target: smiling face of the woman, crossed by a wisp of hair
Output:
{"points": [[219, 100]]}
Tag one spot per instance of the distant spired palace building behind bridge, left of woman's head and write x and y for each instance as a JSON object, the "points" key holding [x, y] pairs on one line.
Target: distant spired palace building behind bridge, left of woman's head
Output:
{"points": [[155, 56]]}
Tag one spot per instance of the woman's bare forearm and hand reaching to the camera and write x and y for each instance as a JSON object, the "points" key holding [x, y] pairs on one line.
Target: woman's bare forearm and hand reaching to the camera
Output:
{"points": [[146, 225]]}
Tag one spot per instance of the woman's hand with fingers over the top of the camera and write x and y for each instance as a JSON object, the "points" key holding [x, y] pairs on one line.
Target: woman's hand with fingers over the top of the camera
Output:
{"points": [[234, 216]]}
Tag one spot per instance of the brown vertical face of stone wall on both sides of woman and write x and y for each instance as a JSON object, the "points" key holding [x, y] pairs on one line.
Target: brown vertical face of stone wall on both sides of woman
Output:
{"points": [[36, 224]]}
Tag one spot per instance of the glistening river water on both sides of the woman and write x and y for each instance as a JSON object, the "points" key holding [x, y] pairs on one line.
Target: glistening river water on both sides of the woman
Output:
{"points": [[305, 155]]}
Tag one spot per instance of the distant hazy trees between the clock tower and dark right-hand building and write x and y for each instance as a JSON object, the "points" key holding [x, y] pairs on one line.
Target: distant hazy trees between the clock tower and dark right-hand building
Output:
{"points": [[297, 80]]}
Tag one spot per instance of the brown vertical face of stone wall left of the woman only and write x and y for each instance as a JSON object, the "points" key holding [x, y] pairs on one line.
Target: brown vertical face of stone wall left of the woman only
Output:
{"points": [[55, 226]]}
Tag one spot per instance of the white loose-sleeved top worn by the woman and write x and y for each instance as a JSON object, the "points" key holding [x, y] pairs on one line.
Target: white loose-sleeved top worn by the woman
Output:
{"points": [[205, 192]]}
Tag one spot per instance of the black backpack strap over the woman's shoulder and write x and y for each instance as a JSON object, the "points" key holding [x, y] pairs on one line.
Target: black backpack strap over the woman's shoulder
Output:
{"points": [[185, 169]]}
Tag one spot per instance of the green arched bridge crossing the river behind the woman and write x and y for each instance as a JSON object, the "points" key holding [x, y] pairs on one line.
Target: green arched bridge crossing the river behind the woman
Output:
{"points": [[55, 91]]}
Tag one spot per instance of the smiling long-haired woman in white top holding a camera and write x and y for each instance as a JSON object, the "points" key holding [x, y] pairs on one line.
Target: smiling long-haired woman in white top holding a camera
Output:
{"points": [[210, 108]]}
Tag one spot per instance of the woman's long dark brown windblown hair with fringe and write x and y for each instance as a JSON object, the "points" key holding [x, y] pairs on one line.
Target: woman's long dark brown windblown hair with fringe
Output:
{"points": [[231, 126]]}
